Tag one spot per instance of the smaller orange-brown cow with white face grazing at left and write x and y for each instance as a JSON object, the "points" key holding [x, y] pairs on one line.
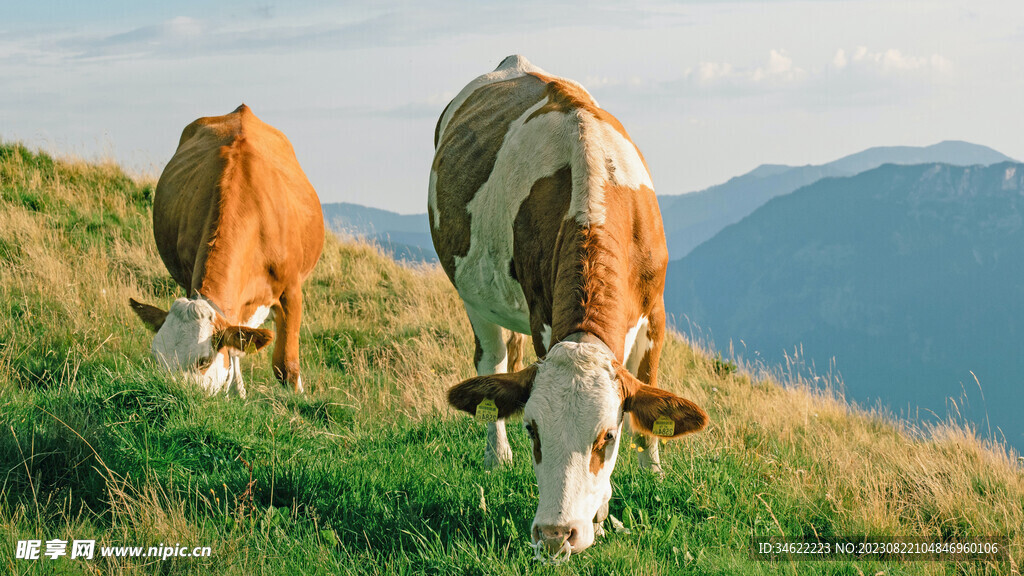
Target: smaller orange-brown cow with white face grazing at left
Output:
{"points": [[239, 227]]}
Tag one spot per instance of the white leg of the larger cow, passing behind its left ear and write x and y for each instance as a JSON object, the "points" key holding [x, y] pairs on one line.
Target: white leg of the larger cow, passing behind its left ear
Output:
{"points": [[493, 344]]}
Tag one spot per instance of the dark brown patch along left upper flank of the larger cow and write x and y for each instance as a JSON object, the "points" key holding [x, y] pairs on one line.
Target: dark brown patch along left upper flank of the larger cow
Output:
{"points": [[465, 157]]}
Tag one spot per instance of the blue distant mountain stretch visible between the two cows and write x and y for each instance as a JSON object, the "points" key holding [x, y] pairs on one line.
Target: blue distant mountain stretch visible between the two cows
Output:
{"points": [[406, 236]]}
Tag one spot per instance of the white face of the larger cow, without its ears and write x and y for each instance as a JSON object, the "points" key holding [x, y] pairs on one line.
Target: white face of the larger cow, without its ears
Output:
{"points": [[575, 398]]}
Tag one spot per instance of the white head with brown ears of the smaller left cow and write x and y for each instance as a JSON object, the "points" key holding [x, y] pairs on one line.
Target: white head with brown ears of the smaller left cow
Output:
{"points": [[194, 340]]}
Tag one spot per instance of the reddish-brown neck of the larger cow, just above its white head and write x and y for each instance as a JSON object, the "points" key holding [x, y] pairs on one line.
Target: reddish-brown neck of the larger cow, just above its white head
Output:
{"points": [[591, 293]]}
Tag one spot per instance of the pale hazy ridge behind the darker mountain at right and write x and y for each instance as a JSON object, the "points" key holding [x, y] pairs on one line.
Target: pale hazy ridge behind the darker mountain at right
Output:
{"points": [[693, 219]]}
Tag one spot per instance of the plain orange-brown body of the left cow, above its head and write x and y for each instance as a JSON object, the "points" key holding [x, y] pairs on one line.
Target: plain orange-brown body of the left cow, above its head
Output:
{"points": [[236, 180]]}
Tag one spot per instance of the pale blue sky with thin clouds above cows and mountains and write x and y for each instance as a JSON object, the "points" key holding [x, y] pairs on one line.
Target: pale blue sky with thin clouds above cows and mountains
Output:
{"points": [[708, 90]]}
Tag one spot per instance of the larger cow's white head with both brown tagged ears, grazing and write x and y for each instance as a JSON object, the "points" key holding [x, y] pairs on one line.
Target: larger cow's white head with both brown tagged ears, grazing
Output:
{"points": [[574, 401]]}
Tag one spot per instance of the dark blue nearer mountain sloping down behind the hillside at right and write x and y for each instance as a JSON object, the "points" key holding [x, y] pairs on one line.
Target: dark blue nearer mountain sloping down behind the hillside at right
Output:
{"points": [[911, 277]]}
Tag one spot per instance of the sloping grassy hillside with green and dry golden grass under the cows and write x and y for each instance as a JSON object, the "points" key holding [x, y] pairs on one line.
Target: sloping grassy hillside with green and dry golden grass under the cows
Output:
{"points": [[371, 473]]}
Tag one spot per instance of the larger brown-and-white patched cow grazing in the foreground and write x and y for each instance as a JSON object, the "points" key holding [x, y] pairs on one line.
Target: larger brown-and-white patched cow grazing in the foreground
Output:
{"points": [[544, 217]]}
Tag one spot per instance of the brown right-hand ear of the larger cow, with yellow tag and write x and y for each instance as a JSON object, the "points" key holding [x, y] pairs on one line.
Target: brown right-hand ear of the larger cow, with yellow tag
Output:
{"points": [[659, 413]]}
